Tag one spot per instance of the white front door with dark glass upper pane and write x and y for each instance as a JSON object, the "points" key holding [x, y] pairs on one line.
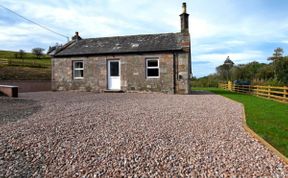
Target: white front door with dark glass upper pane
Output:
{"points": [[114, 81]]}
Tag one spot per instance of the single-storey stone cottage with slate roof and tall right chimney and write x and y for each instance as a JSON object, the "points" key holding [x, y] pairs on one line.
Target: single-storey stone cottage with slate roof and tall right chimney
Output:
{"points": [[153, 62]]}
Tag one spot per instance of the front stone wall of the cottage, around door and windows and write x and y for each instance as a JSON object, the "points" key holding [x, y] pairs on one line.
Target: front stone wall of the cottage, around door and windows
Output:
{"points": [[133, 73]]}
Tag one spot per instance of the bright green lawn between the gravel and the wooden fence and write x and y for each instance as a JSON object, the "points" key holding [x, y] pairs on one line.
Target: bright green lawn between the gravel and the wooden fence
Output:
{"points": [[269, 119]]}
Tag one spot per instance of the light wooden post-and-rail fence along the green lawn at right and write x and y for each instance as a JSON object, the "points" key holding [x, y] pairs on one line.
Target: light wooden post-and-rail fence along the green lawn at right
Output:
{"points": [[271, 92]]}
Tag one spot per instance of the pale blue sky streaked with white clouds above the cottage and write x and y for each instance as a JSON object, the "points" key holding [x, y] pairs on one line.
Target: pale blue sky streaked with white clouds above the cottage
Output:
{"points": [[246, 30]]}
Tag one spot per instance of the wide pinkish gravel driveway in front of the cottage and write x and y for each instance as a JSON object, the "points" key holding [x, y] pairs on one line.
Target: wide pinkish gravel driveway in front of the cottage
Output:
{"points": [[74, 134]]}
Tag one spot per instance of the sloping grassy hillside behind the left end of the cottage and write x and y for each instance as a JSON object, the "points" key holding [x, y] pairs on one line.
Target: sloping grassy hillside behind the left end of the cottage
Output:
{"points": [[26, 68]]}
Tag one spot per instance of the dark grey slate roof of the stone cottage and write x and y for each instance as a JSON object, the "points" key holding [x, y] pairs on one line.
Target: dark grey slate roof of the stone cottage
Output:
{"points": [[122, 44]]}
